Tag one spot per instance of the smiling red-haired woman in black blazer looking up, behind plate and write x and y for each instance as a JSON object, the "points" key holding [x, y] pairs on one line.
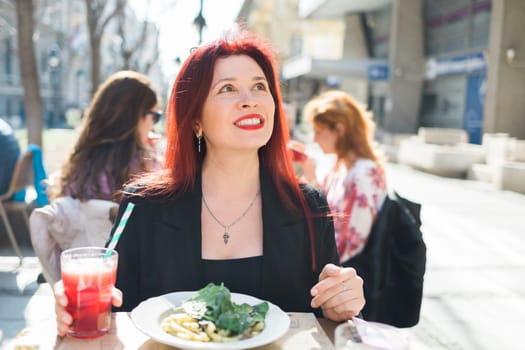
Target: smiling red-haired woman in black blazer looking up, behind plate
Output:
{"points": [[227, 207]]}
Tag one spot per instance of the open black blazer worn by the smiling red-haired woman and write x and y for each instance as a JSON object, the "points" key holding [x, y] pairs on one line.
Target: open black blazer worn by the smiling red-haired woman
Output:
{"points": [[160, 248]]}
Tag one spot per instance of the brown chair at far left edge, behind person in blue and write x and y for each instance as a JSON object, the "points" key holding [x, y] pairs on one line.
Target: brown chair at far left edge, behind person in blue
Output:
{"points": [[22, 177]]}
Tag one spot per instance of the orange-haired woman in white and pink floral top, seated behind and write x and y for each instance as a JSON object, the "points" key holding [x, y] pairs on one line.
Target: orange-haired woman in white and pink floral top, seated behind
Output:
{"points": [[355, 188]]}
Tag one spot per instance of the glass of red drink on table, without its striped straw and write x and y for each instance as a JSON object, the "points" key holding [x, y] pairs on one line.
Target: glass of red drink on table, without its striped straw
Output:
{"points": [[88, 278]]}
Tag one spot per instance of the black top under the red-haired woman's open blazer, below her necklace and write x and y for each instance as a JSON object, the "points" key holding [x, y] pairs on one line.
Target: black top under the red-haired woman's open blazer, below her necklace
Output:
{"points": [[239, 275]]}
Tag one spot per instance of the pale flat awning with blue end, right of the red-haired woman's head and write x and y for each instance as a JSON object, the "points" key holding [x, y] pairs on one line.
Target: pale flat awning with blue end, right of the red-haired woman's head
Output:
{"points": [[344, 68]]}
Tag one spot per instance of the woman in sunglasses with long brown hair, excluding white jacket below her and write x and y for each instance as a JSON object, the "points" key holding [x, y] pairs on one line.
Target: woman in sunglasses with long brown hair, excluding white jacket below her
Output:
{"points": [[115, 140]]}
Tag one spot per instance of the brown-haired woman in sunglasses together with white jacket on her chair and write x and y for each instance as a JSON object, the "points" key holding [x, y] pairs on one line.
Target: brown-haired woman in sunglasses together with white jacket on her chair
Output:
{"points": [[114, 145]]}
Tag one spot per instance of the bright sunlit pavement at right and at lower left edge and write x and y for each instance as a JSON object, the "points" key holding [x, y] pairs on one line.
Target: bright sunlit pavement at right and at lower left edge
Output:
{"points": [[474, 295]]}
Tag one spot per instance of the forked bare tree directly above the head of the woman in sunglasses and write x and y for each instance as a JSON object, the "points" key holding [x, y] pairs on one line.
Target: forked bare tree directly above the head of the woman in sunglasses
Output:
{"points": [[98, 17]]}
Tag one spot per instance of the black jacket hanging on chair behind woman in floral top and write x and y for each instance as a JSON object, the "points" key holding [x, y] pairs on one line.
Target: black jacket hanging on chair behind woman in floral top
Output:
{"points": [[392, 264]]}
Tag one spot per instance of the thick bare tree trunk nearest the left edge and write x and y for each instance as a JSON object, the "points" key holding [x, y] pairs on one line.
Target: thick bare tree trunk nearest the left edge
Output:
{"points": [[30, 81]]}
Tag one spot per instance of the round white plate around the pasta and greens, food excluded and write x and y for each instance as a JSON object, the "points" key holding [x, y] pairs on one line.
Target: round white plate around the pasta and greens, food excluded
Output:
{"points": [[148, 315]]}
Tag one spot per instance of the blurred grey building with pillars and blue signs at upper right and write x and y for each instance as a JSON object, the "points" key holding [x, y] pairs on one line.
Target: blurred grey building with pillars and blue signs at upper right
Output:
{"points": [[434, 63]]}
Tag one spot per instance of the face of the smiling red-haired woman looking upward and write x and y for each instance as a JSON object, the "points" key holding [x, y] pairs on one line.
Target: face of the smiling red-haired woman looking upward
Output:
{"points": [[238, 113]]}
